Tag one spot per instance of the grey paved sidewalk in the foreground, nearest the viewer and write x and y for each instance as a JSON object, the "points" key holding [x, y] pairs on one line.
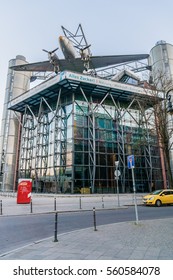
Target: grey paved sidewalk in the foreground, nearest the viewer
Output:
{"points": [[149, 240]]}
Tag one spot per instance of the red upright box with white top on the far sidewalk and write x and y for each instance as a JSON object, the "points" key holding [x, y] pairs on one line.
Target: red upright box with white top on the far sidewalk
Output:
{"points": [[24, 191]]}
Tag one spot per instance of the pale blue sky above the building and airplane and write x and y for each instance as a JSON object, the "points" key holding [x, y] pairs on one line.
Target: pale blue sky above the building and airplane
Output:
{"points": [[110, 26]]}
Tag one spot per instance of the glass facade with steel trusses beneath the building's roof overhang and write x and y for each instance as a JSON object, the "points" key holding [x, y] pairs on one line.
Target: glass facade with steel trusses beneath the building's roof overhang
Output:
{"points": [[47, 135]]}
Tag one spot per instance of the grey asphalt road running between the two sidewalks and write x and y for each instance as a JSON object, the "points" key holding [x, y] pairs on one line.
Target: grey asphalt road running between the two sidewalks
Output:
{"points": [[17, 231]]}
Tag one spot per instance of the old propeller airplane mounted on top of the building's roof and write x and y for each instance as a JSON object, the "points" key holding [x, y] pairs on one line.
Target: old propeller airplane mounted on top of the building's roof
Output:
{"points": [[74, 60]]}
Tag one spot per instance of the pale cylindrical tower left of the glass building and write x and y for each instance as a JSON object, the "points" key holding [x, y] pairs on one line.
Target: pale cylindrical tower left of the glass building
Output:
{"points": [[17, 83]]}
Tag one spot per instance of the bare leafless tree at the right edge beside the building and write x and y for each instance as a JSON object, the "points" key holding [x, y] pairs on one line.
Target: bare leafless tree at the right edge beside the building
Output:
{"points": [[157, 117]]}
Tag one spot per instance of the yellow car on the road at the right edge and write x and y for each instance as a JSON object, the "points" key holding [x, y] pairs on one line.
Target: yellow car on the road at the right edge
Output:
{"points": [[159, 197]]}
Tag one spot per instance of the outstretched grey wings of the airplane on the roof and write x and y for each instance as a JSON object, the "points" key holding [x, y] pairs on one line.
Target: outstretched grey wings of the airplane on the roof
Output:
{"points": [[77, 64]]}
